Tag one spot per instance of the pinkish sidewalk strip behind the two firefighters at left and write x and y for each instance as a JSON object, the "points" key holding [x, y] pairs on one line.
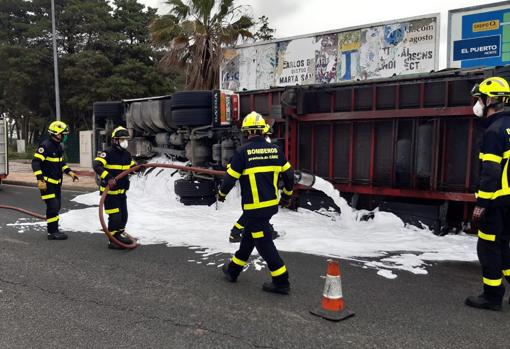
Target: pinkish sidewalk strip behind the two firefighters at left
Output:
{"points": [[20, 173]]}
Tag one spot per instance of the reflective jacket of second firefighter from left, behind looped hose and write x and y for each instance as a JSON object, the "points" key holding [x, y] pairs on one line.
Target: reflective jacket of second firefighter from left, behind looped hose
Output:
{"points": [[111, 163]]}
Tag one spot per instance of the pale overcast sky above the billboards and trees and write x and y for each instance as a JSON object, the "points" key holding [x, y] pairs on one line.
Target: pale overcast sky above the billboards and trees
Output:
{"points": [[296, 17]]}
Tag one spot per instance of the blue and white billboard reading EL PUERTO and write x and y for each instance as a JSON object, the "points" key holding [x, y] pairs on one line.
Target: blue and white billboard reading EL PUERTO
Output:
{"points": [[479, 36]]}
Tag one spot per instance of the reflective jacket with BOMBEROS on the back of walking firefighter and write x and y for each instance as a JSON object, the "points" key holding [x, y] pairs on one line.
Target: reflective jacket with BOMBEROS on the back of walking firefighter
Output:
{"points": [[257, 165]]}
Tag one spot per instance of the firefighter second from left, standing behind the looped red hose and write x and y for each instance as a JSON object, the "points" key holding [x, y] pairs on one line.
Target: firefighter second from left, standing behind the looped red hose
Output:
{"points": [[108, 165]]}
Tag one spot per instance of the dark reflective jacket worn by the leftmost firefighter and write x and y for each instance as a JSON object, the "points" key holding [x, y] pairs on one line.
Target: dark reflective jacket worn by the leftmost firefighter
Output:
{"points": [[48, 162]]}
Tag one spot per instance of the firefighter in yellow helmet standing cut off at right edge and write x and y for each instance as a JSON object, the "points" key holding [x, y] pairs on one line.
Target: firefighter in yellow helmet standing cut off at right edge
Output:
{"points": [[491, 215]]}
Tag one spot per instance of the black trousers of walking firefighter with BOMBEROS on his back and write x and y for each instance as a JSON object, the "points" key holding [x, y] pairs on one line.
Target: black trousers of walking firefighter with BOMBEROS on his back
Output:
{"points": [[257, 234]]}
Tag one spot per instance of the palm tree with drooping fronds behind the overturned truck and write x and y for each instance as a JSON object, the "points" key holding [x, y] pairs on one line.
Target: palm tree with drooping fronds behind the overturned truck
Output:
{"points": [[195, 32]]}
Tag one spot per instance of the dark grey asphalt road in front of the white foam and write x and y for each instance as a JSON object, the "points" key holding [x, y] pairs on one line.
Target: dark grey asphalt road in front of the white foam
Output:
{"points": [[79, 294]]}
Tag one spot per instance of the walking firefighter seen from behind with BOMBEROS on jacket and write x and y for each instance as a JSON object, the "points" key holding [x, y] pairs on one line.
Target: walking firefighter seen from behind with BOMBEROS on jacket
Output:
{"points": [[257, 165]]}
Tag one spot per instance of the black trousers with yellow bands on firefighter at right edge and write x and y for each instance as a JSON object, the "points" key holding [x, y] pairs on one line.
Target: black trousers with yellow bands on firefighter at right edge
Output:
{"points": [[494, 251]]}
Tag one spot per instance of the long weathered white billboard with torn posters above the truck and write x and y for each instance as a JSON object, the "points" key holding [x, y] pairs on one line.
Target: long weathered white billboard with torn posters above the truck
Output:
{"points": [[380, 50]]}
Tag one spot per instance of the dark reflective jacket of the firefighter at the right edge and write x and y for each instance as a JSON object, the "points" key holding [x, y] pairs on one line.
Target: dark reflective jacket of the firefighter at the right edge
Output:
{"points": [[494, 156]]}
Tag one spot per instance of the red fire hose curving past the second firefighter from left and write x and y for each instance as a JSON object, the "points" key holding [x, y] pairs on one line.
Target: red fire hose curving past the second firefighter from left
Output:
{"points": [[134, 169]]}
